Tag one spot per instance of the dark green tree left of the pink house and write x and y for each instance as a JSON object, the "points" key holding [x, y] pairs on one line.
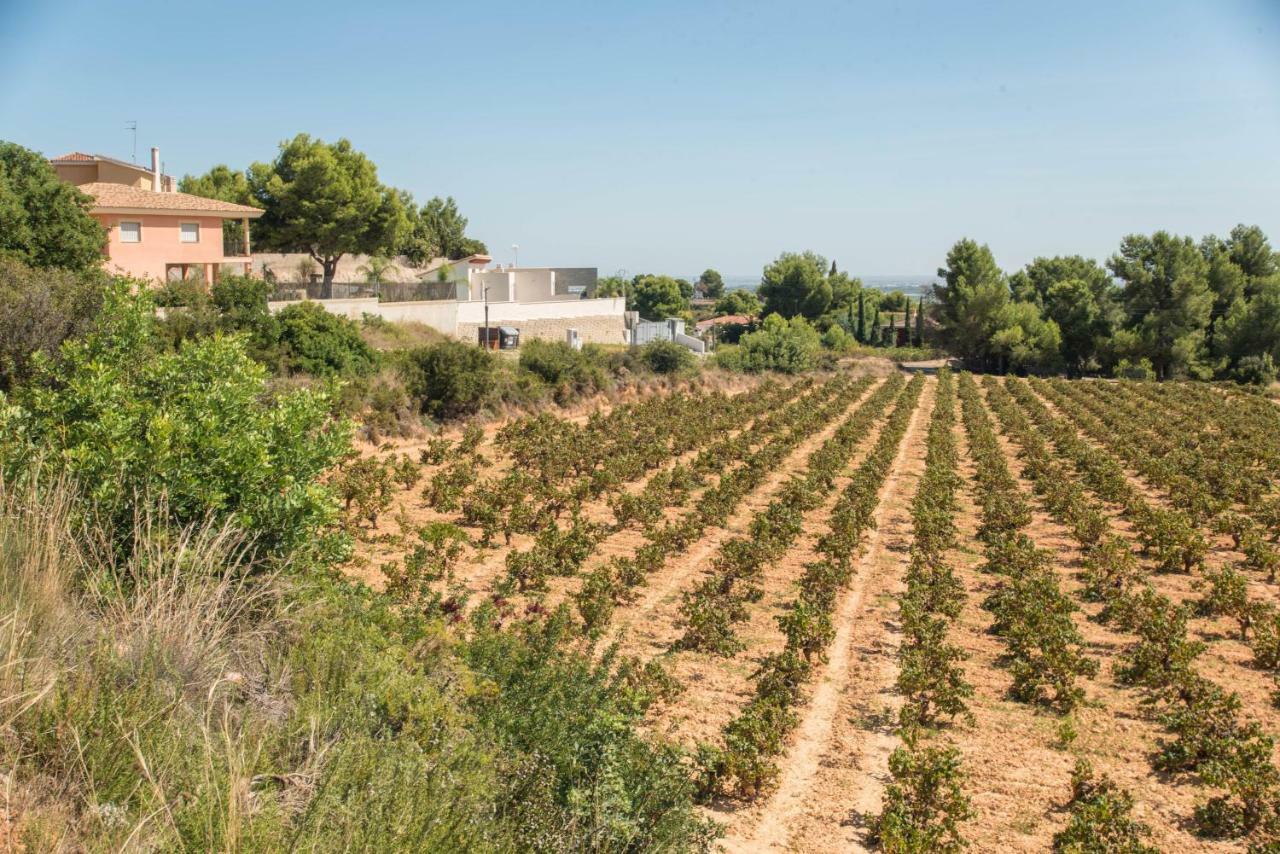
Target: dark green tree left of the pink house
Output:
{"points": [[44, 221]]}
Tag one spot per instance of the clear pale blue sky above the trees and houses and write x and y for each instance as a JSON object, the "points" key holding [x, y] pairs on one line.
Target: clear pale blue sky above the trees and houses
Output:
{"points": [[676, 136]]}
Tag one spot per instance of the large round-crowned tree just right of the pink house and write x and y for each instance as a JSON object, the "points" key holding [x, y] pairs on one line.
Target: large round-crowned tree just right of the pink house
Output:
{"points": [[326, 200]]}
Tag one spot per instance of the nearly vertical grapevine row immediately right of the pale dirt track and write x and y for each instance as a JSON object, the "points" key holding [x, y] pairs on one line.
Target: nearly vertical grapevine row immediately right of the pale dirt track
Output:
{"points": [[925, 802]]}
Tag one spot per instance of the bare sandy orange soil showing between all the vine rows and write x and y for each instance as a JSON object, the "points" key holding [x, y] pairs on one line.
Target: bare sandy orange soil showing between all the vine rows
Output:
{"points": [[1018, 759]]}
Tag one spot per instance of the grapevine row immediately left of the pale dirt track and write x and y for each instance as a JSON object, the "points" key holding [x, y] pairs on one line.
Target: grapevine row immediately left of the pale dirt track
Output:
{"points": [[747, 762]]}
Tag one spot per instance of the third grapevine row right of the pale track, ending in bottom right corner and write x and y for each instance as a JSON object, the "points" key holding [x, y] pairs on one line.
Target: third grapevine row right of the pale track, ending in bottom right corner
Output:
{"points": [[1210, 738]]}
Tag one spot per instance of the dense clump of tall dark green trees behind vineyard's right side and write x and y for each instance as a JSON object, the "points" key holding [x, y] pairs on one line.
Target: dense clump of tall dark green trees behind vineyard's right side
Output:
{"points": [[1164, 303]]}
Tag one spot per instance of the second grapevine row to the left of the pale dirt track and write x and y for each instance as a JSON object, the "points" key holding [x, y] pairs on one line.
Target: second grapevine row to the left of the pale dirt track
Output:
{"points": [[710, 611]]}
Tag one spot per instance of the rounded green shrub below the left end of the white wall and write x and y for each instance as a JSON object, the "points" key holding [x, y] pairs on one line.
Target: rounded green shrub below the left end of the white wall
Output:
{"points": [[322, 344]]}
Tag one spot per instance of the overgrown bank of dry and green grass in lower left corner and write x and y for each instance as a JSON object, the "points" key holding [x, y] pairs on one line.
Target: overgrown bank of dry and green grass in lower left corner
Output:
{"points": [[166, 695]]}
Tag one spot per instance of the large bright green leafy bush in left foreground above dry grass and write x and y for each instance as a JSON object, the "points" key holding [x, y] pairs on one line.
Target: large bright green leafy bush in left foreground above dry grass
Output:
{"points": [[193, 430]]}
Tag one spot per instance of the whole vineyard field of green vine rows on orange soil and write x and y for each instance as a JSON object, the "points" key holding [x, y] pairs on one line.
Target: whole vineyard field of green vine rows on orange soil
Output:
{"points": [[888, 611]]}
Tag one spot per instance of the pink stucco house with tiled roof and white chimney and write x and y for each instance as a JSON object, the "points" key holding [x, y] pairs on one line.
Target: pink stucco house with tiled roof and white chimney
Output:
{"points": [[153, 231]]}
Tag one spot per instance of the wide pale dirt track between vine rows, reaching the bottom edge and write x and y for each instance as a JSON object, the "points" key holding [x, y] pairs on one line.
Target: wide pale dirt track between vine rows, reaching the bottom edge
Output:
{"points": [[839, 755]]}
